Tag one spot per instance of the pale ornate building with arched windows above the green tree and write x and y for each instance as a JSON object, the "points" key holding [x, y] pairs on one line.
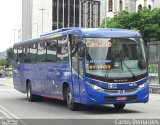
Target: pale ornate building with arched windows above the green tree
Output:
{"points": [[110, 7]]}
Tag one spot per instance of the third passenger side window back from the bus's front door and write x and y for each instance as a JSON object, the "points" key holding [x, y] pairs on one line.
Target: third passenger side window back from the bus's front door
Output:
{"points": [[41, 52]]}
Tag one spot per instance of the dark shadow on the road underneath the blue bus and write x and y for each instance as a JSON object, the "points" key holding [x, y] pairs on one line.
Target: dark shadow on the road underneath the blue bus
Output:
{"points": [[95, 109]]}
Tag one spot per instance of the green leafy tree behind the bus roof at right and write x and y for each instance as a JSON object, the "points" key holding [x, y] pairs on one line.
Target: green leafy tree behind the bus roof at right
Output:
{"points": [[145, 21]]}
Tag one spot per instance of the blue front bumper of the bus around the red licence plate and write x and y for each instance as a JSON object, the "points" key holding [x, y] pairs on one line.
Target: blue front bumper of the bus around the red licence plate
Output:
{"points": [[92, 97]]}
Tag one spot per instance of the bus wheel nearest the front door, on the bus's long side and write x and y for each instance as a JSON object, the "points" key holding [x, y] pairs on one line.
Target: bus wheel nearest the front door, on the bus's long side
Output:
{"points": [[70, 103]]}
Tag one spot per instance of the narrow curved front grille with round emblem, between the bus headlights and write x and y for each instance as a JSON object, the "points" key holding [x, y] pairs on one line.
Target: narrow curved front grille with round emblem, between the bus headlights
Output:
{"points": [[127, 91]]}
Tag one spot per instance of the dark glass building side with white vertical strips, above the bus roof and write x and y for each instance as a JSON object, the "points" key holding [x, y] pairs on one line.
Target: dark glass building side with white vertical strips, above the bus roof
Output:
{"points": [[75, 13]]}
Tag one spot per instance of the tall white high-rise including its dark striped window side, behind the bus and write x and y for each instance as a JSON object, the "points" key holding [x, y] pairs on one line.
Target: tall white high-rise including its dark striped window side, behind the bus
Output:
{"points": [[39, 16]]}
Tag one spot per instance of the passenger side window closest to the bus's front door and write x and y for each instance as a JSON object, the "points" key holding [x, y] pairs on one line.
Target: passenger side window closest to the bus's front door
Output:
{"points": [[62, 50]]}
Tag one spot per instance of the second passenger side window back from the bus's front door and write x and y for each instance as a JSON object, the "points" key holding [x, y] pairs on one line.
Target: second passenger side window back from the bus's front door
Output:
{"points": [[52, 51]]}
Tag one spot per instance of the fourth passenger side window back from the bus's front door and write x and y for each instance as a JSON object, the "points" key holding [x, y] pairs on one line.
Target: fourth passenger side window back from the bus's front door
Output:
{"points": [[33, 53]]}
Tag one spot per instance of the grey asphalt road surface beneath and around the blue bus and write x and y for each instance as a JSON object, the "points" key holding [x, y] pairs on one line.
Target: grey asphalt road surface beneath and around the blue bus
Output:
{"points": [[14, 104]]}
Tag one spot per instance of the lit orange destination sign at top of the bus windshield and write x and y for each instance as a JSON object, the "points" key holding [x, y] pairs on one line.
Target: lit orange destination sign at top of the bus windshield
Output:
{"points": [[98, 44]]}
